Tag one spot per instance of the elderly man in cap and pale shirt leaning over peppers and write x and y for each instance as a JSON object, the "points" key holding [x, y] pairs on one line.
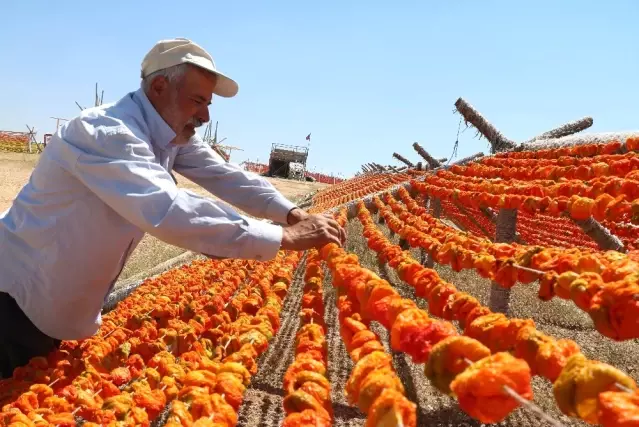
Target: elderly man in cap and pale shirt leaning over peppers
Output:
{"points": [[105, 179]]}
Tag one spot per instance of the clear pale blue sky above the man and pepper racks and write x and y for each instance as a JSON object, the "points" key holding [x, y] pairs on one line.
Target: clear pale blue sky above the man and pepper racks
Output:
{"points": [[366, 78]]}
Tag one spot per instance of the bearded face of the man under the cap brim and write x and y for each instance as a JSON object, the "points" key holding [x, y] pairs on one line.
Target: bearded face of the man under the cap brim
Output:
{"points": [[184, 104]]}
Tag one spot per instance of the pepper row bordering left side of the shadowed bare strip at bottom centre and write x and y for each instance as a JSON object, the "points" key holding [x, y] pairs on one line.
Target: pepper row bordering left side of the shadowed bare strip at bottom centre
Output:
{"points": [[211, 365]]}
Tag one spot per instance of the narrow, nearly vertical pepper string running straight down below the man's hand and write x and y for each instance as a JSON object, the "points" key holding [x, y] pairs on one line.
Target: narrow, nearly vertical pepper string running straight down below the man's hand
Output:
{"points": [[306, 387]]}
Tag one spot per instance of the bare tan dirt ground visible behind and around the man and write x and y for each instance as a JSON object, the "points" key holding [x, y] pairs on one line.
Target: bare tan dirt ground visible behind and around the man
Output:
{"points": [[15, 169]]}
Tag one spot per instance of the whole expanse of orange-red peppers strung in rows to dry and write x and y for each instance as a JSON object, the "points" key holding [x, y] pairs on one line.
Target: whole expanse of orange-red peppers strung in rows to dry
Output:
{"points": [[518, 276]]}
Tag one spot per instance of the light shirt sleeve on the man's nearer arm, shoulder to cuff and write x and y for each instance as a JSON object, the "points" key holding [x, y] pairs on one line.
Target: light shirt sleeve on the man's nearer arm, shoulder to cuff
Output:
{"points": [[122, 172]]}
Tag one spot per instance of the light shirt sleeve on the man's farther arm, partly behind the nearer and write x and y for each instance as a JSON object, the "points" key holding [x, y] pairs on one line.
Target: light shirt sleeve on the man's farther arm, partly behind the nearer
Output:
{"points": [[247, 191]]}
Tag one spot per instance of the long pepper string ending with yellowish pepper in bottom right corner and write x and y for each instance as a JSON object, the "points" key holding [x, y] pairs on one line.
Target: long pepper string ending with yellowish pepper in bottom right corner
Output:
{"points": [[579, 384]]}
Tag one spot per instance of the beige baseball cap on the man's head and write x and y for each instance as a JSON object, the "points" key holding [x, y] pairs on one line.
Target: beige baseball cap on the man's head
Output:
{"points": [[167, 53]]}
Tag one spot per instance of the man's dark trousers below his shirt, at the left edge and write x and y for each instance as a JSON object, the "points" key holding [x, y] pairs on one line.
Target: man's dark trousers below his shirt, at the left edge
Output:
{"points": [[20, 340]]}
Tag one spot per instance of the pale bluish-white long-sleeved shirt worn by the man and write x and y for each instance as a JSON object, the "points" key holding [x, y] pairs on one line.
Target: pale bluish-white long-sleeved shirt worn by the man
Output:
{"points": [[101, 183]]}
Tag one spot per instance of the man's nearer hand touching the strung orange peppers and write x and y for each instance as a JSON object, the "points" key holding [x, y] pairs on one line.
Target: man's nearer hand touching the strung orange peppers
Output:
{"points": [[313, 232]]}
